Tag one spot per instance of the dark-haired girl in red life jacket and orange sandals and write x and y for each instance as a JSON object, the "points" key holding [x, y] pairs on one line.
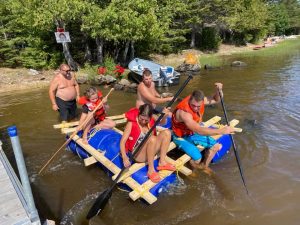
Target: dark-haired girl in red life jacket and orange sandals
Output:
{"points": [[139, 123]]}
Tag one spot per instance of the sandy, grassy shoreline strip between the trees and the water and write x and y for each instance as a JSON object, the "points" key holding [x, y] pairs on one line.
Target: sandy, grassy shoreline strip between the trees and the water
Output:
{"points": [[20, 79]]}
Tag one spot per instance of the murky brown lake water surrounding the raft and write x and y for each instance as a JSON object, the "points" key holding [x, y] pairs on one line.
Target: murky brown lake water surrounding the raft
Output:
{"points": [[264, 97]]}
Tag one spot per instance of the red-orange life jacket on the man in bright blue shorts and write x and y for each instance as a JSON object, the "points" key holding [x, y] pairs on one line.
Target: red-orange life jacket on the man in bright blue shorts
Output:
{"points": [[179, 128]]}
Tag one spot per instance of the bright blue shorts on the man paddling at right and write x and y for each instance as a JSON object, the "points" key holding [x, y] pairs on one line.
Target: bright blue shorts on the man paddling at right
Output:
{"points": [[188, 144]]}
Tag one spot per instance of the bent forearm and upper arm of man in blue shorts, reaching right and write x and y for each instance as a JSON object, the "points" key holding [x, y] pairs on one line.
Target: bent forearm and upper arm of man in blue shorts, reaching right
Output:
{"points": [[196, 128]]}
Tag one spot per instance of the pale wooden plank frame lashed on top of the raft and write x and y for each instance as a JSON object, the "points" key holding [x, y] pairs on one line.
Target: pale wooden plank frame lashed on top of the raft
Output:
{"points": [[142, 190]]}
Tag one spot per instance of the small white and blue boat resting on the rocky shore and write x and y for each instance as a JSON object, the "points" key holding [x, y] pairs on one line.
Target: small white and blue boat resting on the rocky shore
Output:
{"points": [[162, 75]]}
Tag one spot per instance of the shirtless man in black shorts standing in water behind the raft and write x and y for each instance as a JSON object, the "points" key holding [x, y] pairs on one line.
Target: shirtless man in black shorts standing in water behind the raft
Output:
{"points": [[63, 93]]}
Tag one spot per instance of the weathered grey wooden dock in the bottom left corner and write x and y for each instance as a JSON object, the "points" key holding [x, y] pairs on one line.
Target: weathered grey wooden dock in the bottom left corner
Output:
{"points": [[13, 207]]}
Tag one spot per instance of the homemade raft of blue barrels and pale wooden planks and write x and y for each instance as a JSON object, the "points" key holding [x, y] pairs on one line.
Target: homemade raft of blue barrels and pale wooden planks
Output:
{"points": [[103, 149]]}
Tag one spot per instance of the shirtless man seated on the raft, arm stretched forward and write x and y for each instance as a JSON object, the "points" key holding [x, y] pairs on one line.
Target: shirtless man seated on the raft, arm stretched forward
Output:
{"points": [[146, 93]]}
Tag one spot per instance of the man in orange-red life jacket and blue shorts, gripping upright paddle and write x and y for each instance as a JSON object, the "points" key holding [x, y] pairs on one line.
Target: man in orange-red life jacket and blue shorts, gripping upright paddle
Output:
{"points": [[188, 133]]}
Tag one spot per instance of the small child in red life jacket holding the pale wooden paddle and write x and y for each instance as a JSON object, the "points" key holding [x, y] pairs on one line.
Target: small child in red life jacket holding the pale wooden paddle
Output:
{"points": [[91, 99]]}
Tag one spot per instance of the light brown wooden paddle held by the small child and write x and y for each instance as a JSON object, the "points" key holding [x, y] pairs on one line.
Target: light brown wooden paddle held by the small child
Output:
{"points": [[88, 118]]}
